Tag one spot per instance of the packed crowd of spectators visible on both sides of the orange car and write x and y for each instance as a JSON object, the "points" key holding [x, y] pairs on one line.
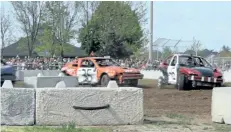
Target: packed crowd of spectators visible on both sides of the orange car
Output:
{"points": [[54, 63]]}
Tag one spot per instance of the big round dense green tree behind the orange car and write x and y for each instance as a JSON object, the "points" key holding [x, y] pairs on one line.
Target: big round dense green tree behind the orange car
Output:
{"points": [[114, 30]]}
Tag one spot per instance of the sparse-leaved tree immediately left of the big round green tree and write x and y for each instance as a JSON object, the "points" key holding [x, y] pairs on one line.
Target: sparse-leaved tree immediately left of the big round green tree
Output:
{"points": [[61, 19]]}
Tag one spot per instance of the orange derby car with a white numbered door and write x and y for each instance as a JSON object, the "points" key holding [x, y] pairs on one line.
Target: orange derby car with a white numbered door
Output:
{"points": [[100, 70]]}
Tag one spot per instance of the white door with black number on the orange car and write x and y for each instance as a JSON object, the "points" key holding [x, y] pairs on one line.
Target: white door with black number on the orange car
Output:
{"points": [[87, 72]]}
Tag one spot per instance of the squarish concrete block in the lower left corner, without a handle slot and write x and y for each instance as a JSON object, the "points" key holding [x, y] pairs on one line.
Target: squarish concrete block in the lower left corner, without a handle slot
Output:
{"points": [[17, 106]]}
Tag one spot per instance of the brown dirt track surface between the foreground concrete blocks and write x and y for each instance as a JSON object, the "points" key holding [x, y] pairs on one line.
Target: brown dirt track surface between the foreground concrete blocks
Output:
{"points": [[161, 102]]}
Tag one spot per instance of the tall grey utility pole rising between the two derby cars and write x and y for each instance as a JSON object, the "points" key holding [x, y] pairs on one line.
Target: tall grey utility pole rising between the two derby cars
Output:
{"points": [[151, 32]]}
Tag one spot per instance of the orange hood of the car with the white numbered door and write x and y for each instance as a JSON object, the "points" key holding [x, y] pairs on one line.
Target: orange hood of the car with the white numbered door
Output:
{"points": [[121, 69]]}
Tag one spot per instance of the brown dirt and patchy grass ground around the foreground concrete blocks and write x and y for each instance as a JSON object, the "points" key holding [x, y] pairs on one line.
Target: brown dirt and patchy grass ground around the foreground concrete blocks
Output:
{"points": [[165, 110]]}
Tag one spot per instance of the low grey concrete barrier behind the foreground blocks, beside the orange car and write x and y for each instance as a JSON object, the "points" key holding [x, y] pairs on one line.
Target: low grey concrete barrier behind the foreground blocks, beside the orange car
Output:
{"points": [[50, 81]]}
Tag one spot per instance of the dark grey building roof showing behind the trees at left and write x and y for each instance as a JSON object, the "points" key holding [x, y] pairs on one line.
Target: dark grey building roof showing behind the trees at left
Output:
{"points": [[16, 49]]}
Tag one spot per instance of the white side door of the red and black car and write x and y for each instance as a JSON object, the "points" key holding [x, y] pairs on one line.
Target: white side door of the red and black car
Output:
{"points": [[172, 71]]}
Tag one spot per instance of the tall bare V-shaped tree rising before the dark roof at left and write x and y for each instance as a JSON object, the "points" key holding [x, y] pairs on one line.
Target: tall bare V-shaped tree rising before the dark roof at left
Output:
{"points": [[29, 14]]}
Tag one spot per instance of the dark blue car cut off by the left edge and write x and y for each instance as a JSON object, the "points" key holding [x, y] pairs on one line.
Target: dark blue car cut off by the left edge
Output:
{"points": [[8, 72]]}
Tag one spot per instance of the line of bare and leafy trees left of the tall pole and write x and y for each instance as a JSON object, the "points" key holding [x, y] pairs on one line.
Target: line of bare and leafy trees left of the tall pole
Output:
{"points": [[106, 28]]}
